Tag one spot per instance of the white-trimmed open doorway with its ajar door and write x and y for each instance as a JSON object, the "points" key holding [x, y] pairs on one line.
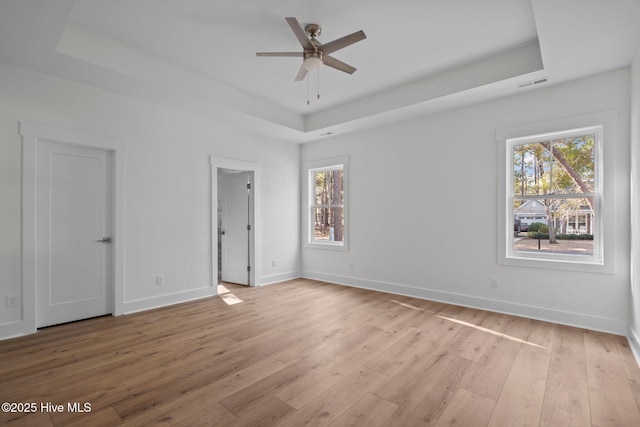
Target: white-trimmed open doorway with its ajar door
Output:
{"points": [[235, 228]]}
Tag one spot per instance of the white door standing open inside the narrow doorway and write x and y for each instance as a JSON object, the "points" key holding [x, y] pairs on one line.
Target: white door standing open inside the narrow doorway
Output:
{"points": [[236, 227]]}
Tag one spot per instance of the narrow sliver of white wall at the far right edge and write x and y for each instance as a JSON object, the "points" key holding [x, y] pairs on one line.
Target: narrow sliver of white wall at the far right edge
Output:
{"points": [[634, 334]]}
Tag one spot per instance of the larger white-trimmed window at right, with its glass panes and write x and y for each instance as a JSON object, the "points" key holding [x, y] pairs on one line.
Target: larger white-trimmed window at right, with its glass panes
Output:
{"points": [[554, 175]]}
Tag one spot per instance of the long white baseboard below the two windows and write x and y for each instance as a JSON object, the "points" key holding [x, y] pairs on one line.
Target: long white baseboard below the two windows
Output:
{"points": [[595, 323]]}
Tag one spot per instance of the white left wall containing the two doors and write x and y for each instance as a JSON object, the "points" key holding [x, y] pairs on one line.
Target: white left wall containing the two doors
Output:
{"points": [[168, 185]]}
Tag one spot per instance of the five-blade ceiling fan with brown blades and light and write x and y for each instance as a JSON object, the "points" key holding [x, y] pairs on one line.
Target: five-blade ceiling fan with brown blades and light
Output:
{"points": [[315, 53]]}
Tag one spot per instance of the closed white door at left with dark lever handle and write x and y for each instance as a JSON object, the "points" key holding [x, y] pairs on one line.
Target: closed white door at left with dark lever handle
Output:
{"points": [[74, 225]]}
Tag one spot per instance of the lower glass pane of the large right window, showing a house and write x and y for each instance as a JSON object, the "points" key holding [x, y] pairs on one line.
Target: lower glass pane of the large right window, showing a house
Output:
{"points": [[565, 226]]}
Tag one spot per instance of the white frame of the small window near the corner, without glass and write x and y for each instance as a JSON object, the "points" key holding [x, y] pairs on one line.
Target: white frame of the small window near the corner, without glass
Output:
{"points": [[311, 169]]}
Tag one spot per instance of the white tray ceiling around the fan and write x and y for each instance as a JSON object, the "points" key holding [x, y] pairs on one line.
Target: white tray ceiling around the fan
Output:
{"points": [[419, 57]]}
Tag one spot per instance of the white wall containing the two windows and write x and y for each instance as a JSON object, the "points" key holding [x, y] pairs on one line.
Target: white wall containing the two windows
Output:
{"points": [[415, 186]]}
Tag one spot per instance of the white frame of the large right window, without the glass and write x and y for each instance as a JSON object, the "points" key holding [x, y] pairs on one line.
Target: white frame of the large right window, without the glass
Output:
{"points": [[602, 260]]}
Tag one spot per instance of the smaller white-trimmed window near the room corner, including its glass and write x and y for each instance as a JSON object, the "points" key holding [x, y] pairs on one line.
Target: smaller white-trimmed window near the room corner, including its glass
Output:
{"points": [[327, 203]]}
